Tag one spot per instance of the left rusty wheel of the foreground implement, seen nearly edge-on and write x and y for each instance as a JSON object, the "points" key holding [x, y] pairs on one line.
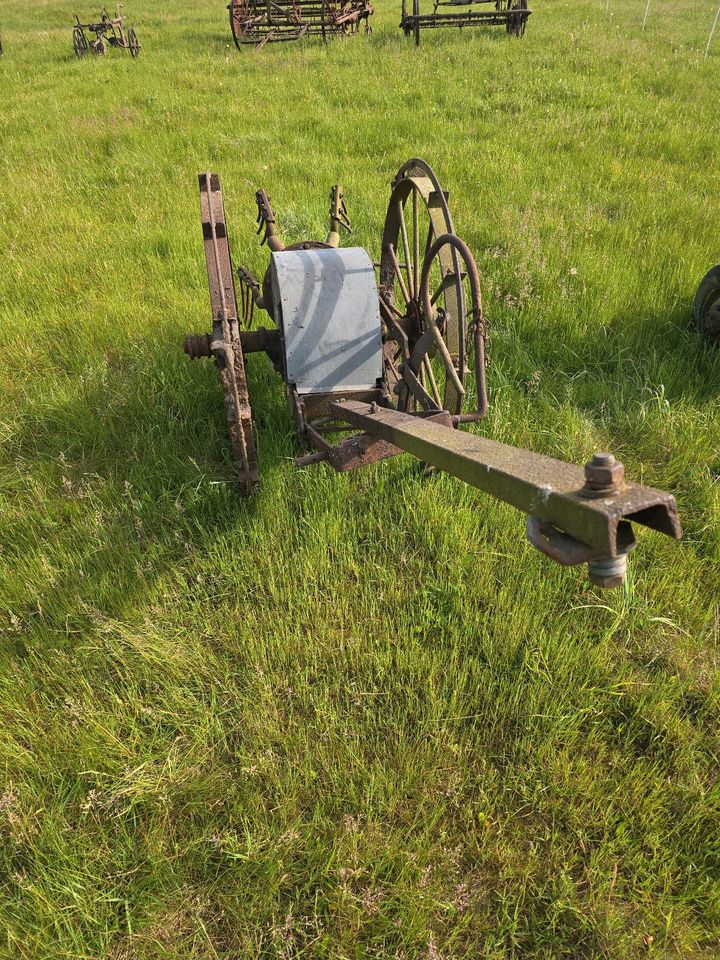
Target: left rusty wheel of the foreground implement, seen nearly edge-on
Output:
{"points": [[224, 343]]}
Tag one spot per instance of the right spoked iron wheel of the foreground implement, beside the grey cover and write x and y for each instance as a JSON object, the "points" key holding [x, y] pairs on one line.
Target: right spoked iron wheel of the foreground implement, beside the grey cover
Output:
{"points": [[429, 336]]}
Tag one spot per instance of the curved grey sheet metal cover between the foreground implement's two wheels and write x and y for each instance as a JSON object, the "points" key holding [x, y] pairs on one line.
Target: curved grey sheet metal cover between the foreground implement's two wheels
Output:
{"points": [[328, 304]]}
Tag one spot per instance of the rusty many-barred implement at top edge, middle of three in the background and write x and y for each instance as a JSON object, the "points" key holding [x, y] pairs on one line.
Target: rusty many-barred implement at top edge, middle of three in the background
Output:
{"points": [[269, 21]]}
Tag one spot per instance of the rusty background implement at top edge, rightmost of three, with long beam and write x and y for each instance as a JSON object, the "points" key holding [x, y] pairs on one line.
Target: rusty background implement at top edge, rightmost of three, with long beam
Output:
{"points": [[512, 14]]}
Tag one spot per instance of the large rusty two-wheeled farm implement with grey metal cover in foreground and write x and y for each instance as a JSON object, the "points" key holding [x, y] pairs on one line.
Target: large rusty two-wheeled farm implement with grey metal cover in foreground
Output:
{"points": [[379, 363]]}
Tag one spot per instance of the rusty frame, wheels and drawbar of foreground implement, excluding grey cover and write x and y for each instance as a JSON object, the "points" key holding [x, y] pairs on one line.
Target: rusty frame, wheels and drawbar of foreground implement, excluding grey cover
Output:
{"points": [[575, 515]]}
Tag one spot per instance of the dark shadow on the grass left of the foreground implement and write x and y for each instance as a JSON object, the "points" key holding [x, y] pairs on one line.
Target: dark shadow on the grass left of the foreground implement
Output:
{"points": [[130, 474]]}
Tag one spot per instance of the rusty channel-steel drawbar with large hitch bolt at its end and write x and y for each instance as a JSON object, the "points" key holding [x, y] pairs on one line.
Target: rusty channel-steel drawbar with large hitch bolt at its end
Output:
{"points": [[554, 492]]}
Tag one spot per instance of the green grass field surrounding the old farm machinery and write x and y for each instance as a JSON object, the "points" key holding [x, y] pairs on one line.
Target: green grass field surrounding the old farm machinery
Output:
{"points": [[357, 716]]}
